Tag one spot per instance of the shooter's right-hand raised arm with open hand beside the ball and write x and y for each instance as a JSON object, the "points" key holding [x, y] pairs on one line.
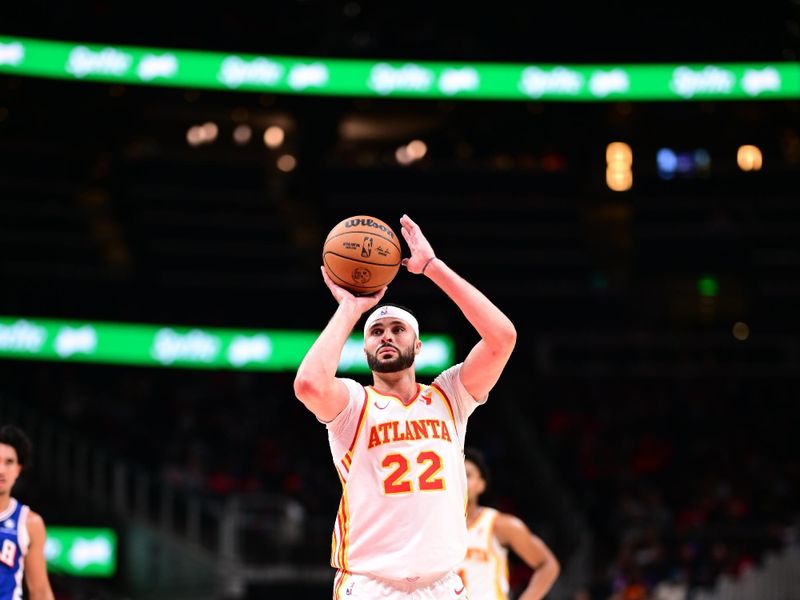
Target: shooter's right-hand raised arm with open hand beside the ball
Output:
{"points": [[485, 362]]}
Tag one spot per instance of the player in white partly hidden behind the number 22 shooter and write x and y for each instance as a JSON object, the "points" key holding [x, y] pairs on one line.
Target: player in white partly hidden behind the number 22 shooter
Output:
{"points": [[485, 569]]}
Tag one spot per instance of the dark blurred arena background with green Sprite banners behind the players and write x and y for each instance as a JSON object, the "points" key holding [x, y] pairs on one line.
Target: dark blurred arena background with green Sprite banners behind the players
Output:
{"points": [[641, 228]]}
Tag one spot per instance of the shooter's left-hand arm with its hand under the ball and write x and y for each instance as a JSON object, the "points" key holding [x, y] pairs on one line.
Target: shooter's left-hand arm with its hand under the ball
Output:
{"points": [[315, 384]]}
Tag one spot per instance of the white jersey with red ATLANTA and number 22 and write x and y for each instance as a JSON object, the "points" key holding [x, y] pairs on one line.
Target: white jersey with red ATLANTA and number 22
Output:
{"points": [[403, 507]]}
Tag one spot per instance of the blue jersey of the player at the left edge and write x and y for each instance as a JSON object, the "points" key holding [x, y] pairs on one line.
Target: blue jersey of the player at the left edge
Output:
{"points": [[14, 542]]}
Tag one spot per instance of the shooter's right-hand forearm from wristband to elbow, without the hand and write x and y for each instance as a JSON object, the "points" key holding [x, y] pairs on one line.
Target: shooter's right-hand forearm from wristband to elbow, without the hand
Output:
{"points": [[494, 327]]}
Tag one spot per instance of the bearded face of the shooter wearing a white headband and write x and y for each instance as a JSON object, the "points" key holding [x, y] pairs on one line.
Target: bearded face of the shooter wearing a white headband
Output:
{"points": [[390, 345]]}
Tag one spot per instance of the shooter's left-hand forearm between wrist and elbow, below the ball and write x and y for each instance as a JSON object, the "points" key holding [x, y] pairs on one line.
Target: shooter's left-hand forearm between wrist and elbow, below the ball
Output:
{"points": [[322, 359]]}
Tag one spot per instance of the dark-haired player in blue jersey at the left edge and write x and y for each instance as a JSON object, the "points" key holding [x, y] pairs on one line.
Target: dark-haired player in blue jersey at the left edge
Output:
{"points": [[22, 532]]}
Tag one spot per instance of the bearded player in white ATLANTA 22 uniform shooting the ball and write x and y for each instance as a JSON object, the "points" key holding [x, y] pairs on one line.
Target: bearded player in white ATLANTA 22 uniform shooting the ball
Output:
{"points": [[397, 444]]}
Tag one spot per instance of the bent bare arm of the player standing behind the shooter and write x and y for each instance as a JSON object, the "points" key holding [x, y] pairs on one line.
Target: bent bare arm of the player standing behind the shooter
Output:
{"points": [[510, 531]]}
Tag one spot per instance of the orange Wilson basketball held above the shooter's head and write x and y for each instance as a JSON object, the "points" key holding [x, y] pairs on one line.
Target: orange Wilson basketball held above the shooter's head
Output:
{"points": [[361, 254]]}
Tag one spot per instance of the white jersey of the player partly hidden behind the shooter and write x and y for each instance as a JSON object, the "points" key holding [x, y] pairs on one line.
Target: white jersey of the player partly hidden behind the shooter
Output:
{"points": [[485, 569]]}
